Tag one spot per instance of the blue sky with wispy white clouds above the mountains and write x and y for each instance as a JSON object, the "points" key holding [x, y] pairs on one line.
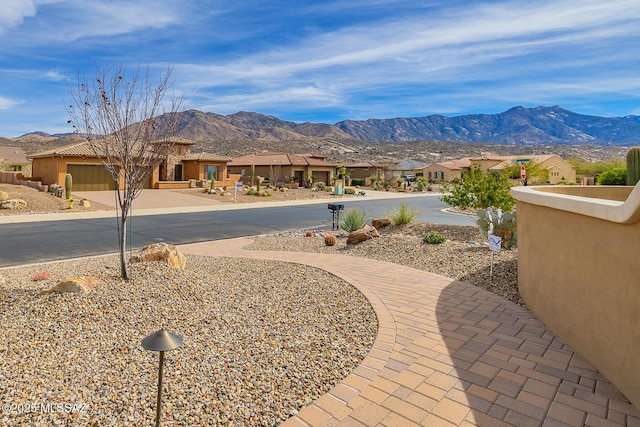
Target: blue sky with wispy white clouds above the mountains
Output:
{"points": [[327, 61]]}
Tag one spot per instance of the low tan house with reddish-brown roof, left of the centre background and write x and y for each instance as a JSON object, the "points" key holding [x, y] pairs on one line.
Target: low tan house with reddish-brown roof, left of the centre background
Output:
{"points": [[282, 167]]}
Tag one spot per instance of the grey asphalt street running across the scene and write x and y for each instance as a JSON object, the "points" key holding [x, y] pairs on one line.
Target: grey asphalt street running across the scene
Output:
{"points": [[35, 242]]}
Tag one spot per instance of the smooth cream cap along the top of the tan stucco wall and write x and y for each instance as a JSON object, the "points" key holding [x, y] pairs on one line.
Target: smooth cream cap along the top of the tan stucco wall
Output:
{"points": [[627, 212]]}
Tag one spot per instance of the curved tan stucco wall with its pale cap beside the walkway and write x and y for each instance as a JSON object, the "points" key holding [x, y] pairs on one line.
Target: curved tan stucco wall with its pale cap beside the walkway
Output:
{"points": [[580, 275]]}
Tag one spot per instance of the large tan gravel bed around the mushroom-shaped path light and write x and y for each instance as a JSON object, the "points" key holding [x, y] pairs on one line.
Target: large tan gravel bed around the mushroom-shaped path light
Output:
{"points": [[261, 340]]}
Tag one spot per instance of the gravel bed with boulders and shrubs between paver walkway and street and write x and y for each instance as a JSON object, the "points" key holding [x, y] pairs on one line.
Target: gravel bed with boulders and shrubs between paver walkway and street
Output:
{"points": [[465, 254]]}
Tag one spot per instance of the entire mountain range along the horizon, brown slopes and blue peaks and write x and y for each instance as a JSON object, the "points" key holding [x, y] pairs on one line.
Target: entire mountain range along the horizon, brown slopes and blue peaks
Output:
{"points": [[244, 132]]}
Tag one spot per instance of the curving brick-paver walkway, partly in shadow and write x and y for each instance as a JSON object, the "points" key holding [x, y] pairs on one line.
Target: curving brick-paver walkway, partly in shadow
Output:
{"points": [[449, 353]]}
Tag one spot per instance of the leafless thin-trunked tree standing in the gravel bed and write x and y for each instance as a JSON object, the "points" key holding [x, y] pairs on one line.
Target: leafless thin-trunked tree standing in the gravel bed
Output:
{"points": [[124, 119]]}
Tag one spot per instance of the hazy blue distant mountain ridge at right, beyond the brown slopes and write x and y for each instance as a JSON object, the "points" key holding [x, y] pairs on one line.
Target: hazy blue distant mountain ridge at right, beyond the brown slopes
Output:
{"points": [[518, 125]]}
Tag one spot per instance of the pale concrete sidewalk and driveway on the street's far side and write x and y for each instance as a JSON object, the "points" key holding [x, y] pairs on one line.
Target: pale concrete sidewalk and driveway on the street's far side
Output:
{"points": [[159, 202]]}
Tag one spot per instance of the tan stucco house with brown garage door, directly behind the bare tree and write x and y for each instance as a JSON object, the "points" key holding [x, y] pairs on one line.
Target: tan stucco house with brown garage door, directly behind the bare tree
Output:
{"points": [[178, 170]]}
